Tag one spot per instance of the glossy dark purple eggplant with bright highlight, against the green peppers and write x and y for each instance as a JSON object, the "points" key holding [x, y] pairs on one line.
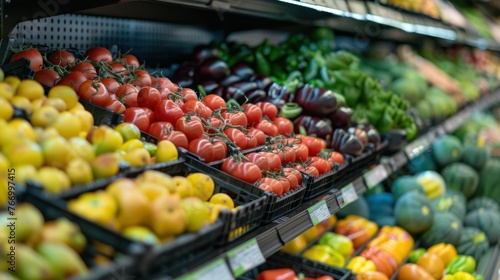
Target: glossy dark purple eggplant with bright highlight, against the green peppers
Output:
{"points": [[316, 101]]}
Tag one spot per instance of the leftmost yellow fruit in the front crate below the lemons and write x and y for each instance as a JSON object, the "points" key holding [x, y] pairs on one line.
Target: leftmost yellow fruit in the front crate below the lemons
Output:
{"points": [[99, 207]]}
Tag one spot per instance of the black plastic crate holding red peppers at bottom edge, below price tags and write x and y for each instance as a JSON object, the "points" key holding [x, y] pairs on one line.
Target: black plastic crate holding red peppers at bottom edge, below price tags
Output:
{"points": [[299, 265]]}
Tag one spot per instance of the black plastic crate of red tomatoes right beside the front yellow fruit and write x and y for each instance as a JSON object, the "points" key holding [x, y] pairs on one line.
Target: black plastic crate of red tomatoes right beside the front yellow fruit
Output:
{"points": [[276, 206]]}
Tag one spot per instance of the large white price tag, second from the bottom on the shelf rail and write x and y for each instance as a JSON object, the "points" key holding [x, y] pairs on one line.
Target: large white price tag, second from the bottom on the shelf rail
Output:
{"points": [[245, 257]]}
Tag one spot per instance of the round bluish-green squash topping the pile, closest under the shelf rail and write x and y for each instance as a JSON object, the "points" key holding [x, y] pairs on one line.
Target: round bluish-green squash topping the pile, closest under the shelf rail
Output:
{"points": [[447, 149]]}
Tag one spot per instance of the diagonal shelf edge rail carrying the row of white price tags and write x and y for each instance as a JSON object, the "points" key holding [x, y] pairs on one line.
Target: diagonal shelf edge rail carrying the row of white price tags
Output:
{"points": [[270, 238]]}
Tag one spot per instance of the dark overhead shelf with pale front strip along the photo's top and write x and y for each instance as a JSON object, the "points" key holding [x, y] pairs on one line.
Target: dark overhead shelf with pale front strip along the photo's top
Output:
{"points": [[349, 16]]}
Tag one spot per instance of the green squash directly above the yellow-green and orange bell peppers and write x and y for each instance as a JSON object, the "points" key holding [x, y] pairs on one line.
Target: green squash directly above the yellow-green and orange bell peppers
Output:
{"points": [[446, 228]]}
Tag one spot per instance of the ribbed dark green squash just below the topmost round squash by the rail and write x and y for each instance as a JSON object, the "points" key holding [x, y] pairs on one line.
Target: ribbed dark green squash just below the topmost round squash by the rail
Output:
{"points": [[459, 176]]}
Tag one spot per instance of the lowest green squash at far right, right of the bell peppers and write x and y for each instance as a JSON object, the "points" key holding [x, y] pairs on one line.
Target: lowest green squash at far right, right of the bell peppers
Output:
{"points": [[473, 242]]}
